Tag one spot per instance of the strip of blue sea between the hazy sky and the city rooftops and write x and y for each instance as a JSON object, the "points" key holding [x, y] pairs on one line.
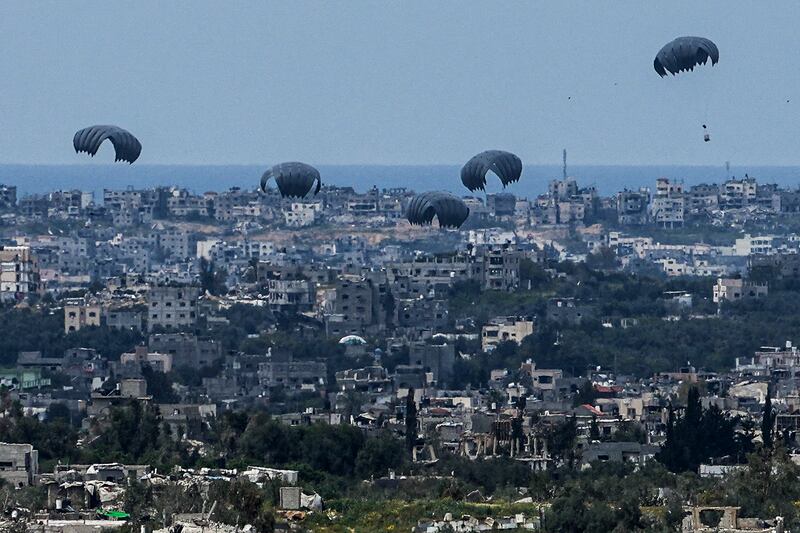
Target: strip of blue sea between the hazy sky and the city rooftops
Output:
{"points": [[31, 179]]}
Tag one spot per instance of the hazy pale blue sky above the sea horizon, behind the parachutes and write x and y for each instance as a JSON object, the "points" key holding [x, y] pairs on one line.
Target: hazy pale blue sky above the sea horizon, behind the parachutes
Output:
{"points": [[413, 82]]}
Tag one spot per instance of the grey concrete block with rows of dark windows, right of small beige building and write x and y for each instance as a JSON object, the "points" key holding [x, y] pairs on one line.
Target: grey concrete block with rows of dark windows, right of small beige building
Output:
{"points": [[172, 307]]}
